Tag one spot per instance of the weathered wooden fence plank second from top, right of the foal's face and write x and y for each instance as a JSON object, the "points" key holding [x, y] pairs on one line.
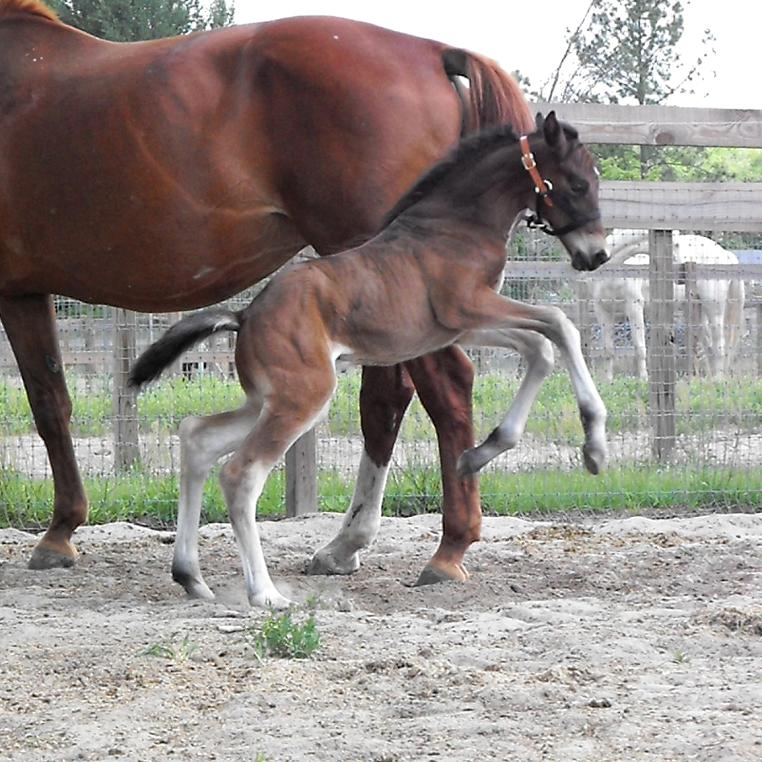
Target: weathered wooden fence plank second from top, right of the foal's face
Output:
{"points": [[682, 206]]}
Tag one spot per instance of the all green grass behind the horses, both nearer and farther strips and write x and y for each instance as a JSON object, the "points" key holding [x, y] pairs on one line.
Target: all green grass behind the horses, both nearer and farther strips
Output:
{"points": [[703, 405]]}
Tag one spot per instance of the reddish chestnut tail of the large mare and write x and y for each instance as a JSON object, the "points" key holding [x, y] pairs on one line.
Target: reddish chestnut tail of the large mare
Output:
{"points": [[493, 97]]}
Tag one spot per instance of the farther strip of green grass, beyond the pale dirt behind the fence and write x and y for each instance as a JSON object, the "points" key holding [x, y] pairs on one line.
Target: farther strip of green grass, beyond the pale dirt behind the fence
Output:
{"points": [[702, 404]]}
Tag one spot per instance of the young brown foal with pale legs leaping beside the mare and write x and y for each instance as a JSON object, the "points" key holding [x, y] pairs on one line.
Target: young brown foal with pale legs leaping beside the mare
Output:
{"points": [[425, 281]]}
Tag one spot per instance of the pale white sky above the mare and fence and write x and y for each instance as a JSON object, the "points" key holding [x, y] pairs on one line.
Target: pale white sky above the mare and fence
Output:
{"points": [[512, 33]]}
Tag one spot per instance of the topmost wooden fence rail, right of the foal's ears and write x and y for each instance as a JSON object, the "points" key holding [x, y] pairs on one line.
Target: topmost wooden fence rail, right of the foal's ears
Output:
{"points": [[661, 125]]}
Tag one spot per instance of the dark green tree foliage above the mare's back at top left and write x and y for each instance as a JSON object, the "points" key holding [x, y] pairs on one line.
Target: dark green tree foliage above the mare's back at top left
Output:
{"points": [[131, 20]]}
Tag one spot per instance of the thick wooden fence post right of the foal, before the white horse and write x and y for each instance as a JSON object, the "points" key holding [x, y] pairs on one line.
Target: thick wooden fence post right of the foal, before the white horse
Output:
{"points": [[662, 372]]}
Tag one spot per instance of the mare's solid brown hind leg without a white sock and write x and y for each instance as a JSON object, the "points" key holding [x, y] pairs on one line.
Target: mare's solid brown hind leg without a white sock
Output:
{"points": [[444, 381]]}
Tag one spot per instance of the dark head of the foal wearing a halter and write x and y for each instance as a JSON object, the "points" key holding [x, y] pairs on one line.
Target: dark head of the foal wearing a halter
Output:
{"points": [[567, 203]]}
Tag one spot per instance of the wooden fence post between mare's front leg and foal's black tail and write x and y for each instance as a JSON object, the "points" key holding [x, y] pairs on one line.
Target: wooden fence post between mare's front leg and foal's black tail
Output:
{"points": [[125, 410]]}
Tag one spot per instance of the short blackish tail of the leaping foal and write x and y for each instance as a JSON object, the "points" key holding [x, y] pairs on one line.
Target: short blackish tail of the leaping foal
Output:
{"points": [[180, 337]]}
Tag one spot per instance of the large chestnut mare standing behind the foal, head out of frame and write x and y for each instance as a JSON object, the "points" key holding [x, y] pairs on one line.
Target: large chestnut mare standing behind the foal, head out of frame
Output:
{"points": [[171, 174]]}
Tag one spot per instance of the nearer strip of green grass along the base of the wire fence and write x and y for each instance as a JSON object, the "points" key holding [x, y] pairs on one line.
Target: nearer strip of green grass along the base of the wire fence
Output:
{"points": [[153, 500]]}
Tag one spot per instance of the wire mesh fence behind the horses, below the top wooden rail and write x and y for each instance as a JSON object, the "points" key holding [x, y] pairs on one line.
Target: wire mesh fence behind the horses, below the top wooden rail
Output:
{"points": [[672, 331]]}
